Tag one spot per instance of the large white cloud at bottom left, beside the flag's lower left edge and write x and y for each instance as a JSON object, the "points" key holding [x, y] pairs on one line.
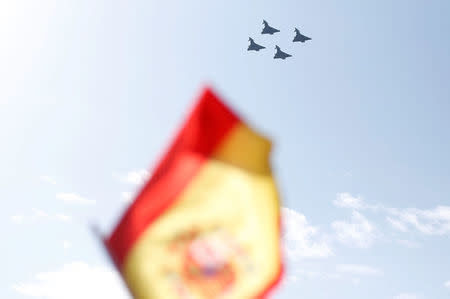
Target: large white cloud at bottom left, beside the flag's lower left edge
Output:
{"points": [[74, 281]]}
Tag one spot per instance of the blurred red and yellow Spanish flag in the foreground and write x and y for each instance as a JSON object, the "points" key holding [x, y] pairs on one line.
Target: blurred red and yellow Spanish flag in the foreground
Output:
{"points": [[207, 223]]}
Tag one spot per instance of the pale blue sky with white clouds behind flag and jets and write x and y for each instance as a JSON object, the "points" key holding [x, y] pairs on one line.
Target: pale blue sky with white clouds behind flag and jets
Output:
{"points": [[91, 92]]}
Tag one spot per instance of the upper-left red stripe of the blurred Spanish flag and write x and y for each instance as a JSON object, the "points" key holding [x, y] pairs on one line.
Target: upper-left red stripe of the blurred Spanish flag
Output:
{"points": [[205, 128]]}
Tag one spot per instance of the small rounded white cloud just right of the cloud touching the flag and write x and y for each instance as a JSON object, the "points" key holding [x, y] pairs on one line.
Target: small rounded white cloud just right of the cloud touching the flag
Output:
{"points": [[358, 233]]}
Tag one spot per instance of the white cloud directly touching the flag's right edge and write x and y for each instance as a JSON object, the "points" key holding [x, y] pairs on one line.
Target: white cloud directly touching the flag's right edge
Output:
{"points": [[302, 240]]}
